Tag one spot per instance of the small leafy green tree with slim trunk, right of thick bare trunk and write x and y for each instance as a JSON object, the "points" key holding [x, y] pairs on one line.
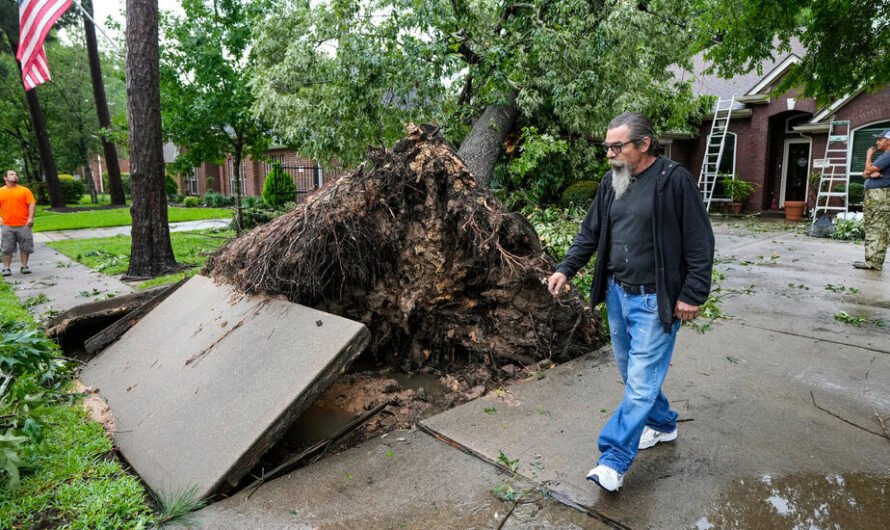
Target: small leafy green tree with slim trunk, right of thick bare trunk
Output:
{"points": [[206, 96]]}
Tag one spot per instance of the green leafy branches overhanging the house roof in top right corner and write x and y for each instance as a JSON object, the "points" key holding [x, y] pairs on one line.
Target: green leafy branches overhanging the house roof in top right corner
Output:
{"points": [[847, 41]]}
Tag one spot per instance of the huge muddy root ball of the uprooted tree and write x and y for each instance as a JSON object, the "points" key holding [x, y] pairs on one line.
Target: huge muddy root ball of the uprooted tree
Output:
{"points": [[412, 247]]}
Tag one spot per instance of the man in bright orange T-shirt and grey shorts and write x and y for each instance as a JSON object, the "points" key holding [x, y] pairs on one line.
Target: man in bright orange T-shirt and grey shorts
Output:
{"points": [[17, 206]]}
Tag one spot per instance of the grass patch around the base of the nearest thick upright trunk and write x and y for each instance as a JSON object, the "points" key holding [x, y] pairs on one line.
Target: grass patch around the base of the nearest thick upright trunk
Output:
{"points": [[111, 255]]}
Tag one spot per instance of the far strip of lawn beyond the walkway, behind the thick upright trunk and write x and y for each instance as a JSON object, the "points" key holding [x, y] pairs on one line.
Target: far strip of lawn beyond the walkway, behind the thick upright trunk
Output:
{"points": [[46, 221]]}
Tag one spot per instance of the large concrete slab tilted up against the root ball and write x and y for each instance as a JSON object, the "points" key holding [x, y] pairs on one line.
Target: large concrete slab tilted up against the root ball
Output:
{"points": [[209, 380]]}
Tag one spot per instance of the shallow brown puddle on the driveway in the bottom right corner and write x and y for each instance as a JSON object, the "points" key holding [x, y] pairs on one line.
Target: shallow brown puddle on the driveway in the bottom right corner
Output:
{"points": [[805, 502]]}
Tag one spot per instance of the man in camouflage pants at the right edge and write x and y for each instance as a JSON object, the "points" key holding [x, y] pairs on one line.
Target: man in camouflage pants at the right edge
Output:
{"points": [[876, 210]]}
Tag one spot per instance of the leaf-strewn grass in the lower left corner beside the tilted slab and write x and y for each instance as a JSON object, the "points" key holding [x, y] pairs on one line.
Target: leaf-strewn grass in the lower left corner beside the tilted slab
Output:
{"points": [[69, 475]]}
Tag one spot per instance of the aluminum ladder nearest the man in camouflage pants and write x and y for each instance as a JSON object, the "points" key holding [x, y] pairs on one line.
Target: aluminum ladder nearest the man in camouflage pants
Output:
{"points": [[834, 171]]}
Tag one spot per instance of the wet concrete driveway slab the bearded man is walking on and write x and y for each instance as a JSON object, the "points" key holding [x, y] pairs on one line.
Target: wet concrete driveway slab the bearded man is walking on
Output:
{"points": [[748, 424]]}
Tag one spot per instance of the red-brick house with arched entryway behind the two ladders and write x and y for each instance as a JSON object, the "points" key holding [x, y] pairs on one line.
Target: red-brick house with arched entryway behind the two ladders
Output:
{"points": [[776, 141]]}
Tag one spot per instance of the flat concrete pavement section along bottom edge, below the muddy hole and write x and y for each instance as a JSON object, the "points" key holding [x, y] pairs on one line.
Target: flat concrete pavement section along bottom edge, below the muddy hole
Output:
{"points": [[405, 479]]}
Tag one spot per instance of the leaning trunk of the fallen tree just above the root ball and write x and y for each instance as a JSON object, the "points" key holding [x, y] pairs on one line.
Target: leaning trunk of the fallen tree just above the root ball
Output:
{"points": [[483, 146]]}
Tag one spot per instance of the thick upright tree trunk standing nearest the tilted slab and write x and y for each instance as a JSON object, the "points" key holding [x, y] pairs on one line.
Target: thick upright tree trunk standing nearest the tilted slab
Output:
{"points": [[151, 253]]}
